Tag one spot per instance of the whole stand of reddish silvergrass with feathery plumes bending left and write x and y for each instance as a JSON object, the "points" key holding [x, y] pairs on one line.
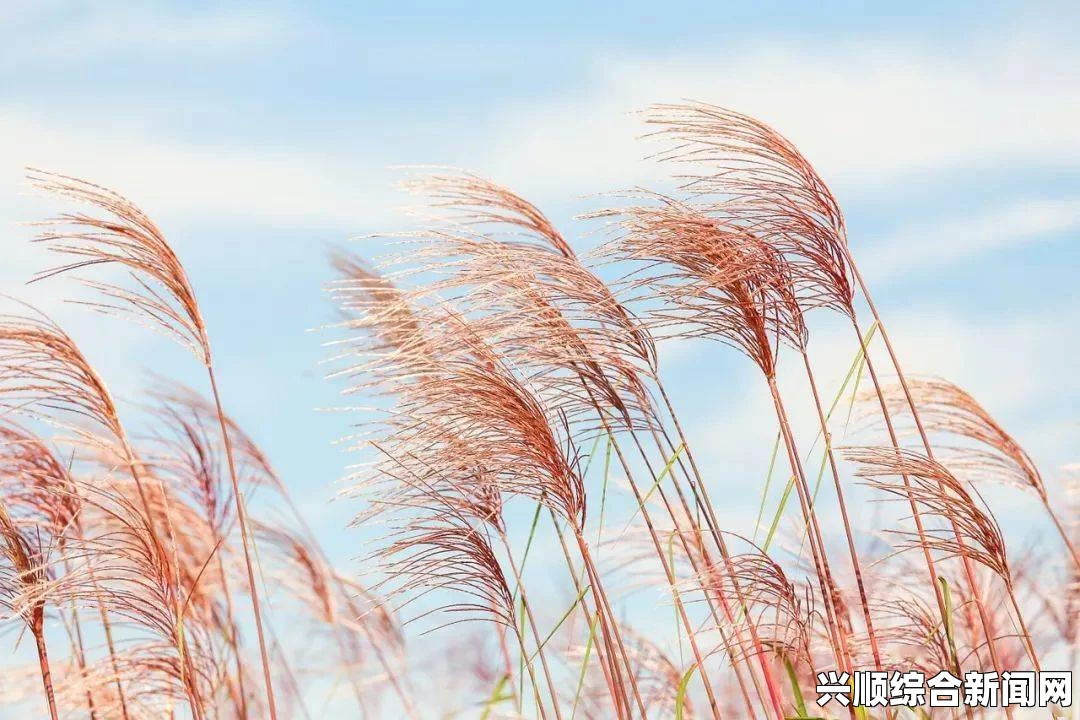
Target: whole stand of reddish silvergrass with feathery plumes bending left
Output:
{"points": [[539, 538]]}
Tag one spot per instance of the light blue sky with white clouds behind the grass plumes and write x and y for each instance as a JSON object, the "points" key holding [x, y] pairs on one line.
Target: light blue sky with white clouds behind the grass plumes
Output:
{"points": [[260, 135]]}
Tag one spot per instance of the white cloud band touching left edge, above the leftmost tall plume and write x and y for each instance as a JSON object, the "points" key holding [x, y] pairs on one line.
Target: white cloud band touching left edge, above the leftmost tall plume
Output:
{"points": [[181, 179]]}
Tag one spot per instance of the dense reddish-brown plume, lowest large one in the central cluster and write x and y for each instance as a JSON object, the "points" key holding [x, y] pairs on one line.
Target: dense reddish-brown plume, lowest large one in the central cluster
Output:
{"points": [[470, 431]]}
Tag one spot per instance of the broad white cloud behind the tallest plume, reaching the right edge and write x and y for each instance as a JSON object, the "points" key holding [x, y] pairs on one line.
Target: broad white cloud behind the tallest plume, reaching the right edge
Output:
{"points": [[869, 114]]}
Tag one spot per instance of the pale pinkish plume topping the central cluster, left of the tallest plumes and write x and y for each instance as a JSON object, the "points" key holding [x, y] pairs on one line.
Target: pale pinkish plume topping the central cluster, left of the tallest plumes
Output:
{"points": [[512, 274]]}
